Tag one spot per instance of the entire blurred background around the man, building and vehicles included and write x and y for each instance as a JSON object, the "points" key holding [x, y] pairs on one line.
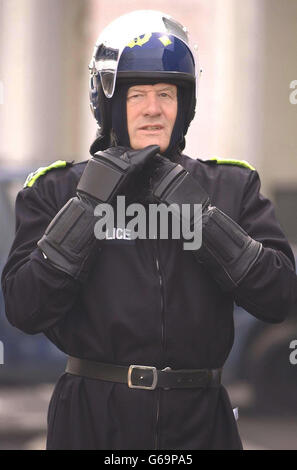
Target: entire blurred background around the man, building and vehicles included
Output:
{"points": [[247, 110]]}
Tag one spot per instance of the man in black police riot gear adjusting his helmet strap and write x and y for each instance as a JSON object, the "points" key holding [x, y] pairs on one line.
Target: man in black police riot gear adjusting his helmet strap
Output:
{"points": [[146, 324]]}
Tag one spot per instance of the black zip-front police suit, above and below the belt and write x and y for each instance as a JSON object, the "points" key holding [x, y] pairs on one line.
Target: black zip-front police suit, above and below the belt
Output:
{"points": [[145, 302]]}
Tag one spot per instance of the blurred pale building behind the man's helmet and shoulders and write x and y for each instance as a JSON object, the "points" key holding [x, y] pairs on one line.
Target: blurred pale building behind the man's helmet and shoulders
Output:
{"points": [[247, 52]]}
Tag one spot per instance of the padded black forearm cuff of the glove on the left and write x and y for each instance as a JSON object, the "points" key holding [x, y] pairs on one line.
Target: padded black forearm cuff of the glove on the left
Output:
{"points": [[69, 238]]}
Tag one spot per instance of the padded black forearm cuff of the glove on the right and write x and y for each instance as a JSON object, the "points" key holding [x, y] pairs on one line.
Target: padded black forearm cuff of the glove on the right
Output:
{"points": [[227, 250]]}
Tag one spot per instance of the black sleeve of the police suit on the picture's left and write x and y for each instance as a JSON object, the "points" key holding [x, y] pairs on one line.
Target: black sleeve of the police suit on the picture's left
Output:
{"points": [[36, 294]]}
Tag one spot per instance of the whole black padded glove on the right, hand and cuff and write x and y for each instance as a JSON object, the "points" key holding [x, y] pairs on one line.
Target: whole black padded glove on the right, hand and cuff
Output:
{"points": [[227, 251]]}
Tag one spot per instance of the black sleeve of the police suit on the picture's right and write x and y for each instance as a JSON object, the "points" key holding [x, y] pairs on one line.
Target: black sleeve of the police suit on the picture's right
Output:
{"points": [[269, 290]]}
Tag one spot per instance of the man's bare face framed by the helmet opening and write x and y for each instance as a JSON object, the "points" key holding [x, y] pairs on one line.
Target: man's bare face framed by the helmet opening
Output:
{"points": [[151, 114]]}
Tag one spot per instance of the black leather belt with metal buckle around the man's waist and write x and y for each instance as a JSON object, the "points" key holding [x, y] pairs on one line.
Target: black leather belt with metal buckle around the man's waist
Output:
{"points": [[145, 377]]}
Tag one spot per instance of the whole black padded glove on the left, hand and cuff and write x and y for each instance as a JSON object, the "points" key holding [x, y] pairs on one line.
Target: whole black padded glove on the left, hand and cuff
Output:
{"points": [[69, 242]]}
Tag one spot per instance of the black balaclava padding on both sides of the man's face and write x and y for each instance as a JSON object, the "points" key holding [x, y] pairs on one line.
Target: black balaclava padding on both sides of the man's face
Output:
{"points": [[119, 133]]}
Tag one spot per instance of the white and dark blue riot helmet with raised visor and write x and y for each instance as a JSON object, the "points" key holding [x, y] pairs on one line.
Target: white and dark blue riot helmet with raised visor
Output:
{"points": [[143, 47]]}
